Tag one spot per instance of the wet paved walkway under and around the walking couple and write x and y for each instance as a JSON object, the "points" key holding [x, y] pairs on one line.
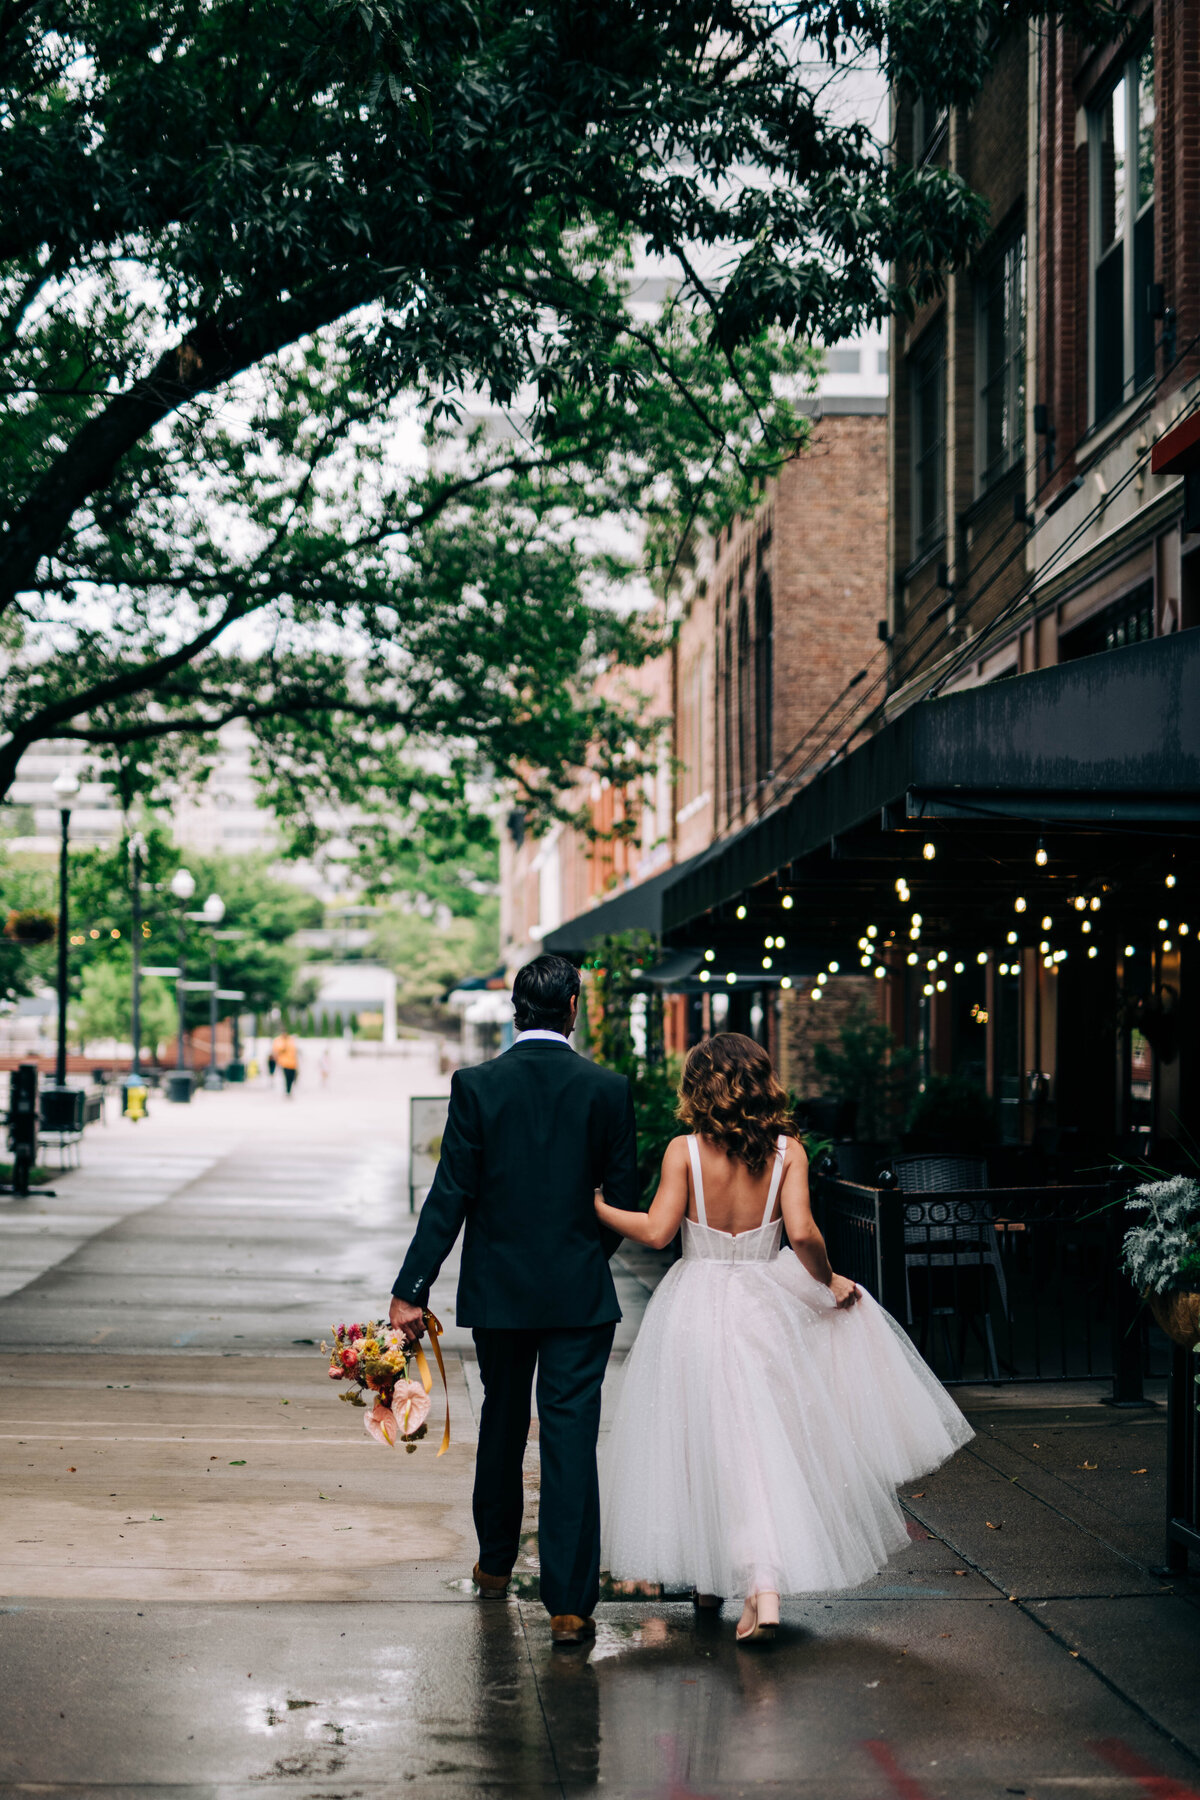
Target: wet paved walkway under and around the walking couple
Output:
{"points": [[219, 1588]]}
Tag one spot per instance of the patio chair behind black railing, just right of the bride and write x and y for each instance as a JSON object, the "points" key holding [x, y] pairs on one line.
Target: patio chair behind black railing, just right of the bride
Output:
{"points": [[967, 1228]]}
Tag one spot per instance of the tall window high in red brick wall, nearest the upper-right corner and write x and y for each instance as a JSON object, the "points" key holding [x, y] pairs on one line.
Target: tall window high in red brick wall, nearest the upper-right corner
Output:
{"points": [[1122, 156]]}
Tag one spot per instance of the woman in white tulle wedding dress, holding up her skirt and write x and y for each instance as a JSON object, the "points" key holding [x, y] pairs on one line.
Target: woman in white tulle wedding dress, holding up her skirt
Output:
{"points": [[771, 1408]]}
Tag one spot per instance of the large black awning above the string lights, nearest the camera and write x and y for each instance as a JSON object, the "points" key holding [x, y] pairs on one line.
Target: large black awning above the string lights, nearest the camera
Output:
{"points": [[1109, 741]]}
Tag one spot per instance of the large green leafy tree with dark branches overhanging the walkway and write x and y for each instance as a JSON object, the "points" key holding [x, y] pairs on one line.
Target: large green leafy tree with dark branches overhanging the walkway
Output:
{"points": [[242, 244]]}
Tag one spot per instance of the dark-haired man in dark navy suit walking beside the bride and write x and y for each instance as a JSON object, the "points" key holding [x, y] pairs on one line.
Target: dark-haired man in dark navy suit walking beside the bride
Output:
{"points": [[530, 1138]]}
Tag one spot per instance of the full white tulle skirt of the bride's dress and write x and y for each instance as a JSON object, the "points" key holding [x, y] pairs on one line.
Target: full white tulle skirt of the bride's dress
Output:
{"points": [[762, 1435]]}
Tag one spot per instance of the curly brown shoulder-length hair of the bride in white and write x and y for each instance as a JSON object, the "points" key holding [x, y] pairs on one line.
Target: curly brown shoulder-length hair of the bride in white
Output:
{"points": [[733, 1097]]}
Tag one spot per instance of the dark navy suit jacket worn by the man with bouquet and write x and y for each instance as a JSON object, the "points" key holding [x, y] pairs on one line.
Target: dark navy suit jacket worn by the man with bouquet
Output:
{"points": [[528, 1140]]}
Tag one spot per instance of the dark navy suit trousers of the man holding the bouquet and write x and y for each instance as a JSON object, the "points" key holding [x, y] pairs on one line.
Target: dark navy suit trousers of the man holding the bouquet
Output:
{"points": [[571, 1371]]}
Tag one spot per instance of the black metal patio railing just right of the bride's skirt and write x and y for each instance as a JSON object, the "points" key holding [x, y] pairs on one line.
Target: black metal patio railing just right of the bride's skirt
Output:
{"points": [[998, 1286]]}
